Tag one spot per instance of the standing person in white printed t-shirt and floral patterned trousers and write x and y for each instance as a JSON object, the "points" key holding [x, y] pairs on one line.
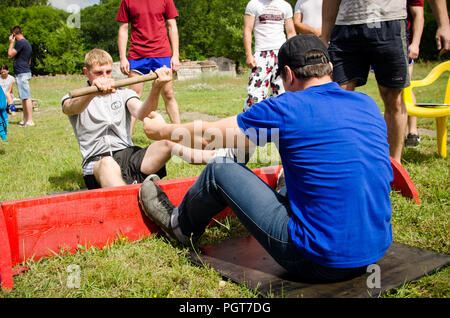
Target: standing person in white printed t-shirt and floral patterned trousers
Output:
{"points": [[267, 19]]}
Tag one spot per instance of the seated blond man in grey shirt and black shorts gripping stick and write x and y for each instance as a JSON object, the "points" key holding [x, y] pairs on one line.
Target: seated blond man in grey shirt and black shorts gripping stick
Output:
{"points": [[101, 123]]}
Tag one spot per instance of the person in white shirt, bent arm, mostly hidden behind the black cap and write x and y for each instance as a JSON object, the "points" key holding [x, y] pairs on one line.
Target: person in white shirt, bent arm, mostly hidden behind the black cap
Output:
{"points": [[308, 17]]}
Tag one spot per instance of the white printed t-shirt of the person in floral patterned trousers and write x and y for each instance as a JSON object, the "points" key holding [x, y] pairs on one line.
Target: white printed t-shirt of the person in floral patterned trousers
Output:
{"points": [[269, 22]]}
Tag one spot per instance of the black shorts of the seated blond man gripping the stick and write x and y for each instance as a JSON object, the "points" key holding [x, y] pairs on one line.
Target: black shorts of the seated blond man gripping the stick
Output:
{"points": [[129, 160]]}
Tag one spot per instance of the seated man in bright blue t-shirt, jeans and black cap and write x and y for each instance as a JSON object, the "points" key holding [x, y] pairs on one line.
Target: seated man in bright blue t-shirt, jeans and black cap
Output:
{"points": [[333, 218]]}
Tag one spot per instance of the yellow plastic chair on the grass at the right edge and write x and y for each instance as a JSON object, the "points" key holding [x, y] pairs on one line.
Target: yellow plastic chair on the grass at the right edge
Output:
{"points": [[432, 110]]}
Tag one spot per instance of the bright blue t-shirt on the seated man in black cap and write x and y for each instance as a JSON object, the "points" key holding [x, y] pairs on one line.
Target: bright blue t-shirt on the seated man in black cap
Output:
{"points": [[335, 155]]}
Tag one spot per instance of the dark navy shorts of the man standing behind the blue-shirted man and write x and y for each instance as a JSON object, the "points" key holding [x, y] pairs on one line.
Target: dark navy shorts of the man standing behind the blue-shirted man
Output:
{"points": [[354, 48]]}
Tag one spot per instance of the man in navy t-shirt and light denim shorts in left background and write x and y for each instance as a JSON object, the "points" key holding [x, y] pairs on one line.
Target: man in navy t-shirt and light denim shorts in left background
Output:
{"points": [[20, 50]]}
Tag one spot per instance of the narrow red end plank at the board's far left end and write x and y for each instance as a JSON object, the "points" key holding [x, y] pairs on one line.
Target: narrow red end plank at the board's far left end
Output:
{"points": [[6, 275]]}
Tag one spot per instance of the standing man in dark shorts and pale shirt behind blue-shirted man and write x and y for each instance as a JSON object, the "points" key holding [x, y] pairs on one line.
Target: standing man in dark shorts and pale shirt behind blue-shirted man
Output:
{"points": [[374, 35]]}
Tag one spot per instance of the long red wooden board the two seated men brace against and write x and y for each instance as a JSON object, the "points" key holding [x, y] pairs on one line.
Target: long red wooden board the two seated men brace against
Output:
{"points": [[42, 227]]}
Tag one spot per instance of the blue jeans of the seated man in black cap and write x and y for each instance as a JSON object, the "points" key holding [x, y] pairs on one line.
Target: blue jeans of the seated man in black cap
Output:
{"points": [[264, 212]]}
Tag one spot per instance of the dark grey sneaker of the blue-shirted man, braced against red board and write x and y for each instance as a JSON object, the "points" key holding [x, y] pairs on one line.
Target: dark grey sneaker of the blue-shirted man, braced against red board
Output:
{"points": [[157, 206]]}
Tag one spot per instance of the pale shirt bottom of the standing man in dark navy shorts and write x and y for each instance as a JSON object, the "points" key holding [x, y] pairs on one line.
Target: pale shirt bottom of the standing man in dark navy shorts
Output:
{"points": [[370, 11]]}
